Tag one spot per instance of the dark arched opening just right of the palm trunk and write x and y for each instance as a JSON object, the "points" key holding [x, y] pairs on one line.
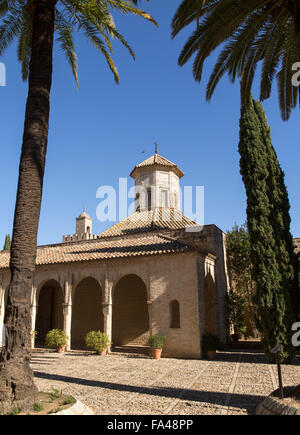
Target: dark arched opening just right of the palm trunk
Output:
{"points": [[49, 309]]}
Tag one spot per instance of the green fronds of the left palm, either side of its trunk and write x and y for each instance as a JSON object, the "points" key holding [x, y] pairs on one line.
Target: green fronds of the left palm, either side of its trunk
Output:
{"points": [[93, 17]]}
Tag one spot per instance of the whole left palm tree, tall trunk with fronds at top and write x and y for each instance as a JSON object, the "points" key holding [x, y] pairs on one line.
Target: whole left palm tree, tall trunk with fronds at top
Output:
{"points": [[34, 23]]}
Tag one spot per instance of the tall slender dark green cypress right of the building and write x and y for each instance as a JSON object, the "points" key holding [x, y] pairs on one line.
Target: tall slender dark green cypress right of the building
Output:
{"points": [[268, 223]]}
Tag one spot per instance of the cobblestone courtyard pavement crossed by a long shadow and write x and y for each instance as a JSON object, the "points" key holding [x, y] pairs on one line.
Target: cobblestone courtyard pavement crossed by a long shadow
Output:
{"points": [[133, 384]]}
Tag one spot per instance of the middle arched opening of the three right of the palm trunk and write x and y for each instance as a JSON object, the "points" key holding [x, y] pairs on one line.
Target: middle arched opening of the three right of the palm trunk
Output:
{"points": [[87, 312]]}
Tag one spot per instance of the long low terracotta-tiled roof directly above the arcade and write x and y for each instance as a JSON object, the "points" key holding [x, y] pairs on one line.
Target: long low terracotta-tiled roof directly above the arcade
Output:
{"points": [[104, 249]]}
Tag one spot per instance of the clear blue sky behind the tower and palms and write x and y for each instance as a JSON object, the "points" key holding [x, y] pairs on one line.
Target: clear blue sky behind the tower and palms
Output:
{"points": [[98, 133]]}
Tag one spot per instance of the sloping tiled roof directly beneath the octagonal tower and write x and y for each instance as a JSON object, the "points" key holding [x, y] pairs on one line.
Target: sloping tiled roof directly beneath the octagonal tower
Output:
{"points": [[152, 220]]}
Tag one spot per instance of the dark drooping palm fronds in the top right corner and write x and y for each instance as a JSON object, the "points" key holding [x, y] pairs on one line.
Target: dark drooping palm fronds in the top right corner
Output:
{"points": [[252, 32]]}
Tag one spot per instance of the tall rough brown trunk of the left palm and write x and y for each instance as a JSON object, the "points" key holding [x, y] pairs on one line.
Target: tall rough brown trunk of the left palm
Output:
{"points": [[17, 389]]}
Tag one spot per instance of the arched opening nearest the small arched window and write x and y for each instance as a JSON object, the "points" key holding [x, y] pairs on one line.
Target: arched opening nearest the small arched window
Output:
{"points": [[130, 317]]}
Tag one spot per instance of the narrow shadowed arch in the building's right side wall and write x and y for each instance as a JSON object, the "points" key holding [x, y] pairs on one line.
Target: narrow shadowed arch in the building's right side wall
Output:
{"points": [[210, 304]]}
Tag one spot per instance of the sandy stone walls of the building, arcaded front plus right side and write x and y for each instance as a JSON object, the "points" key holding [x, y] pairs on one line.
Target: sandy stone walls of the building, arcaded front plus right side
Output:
{"points": [[167, 278]]}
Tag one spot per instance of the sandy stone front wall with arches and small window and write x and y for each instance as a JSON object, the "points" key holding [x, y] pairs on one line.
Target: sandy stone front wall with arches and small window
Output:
{"points": [[166, 278]]}
